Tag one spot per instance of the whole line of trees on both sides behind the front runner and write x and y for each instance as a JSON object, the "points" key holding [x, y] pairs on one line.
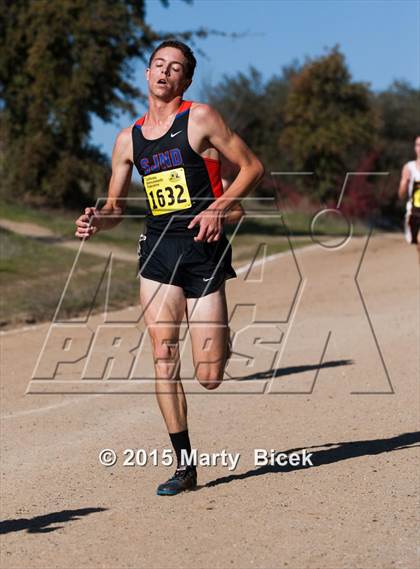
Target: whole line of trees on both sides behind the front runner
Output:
{"points": [[64, 62]]}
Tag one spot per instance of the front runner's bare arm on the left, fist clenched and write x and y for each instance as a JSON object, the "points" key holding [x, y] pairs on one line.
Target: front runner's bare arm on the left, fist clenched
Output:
{"points": [[111, 214]]}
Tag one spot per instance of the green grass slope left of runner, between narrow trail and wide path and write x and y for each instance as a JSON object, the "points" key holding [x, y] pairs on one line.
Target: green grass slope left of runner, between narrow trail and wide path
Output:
{"points": [[34, 274]]}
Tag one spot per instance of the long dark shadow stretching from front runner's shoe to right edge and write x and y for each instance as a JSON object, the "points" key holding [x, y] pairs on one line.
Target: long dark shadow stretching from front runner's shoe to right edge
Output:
{"points": [[334, 452]]}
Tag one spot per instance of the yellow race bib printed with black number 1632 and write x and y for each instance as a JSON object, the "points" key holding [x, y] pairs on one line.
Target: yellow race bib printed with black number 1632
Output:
{"points": [[167, 191]]}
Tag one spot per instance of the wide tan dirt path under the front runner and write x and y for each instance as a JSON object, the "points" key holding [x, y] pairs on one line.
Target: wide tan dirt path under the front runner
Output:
{"points": [[346, 389]]}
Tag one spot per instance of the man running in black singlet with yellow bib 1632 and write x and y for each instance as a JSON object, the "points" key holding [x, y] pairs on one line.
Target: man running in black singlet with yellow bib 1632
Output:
{"points": [[184, 256]]}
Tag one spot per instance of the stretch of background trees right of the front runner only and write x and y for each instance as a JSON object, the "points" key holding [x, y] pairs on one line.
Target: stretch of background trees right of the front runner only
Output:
{"points": [[313, 117]]}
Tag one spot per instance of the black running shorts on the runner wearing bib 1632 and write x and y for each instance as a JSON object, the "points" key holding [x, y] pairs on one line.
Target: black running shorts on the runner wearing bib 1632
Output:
{"points": [[198, 267]]}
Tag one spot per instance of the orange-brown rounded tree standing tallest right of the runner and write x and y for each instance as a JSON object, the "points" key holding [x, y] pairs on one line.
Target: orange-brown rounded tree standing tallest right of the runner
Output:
{"points": [[330, 122]]}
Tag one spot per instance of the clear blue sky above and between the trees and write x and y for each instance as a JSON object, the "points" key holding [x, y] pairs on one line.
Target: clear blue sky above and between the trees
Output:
{"points": [[379, 38]]}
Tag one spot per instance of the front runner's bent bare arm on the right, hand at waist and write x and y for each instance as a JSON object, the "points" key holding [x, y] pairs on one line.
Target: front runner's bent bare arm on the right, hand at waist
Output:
{"points": [[212, 127]]}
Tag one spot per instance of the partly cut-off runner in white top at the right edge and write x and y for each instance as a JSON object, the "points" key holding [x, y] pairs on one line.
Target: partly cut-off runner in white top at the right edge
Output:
{"points": [[410, 187]]}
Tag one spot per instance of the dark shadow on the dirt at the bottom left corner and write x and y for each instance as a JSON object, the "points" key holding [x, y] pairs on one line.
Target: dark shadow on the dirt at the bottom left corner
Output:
{"points": [[39, 524]]}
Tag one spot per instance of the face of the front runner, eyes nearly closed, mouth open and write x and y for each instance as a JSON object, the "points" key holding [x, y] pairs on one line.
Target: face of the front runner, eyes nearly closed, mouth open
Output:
{"points": [[166, 74]]}
